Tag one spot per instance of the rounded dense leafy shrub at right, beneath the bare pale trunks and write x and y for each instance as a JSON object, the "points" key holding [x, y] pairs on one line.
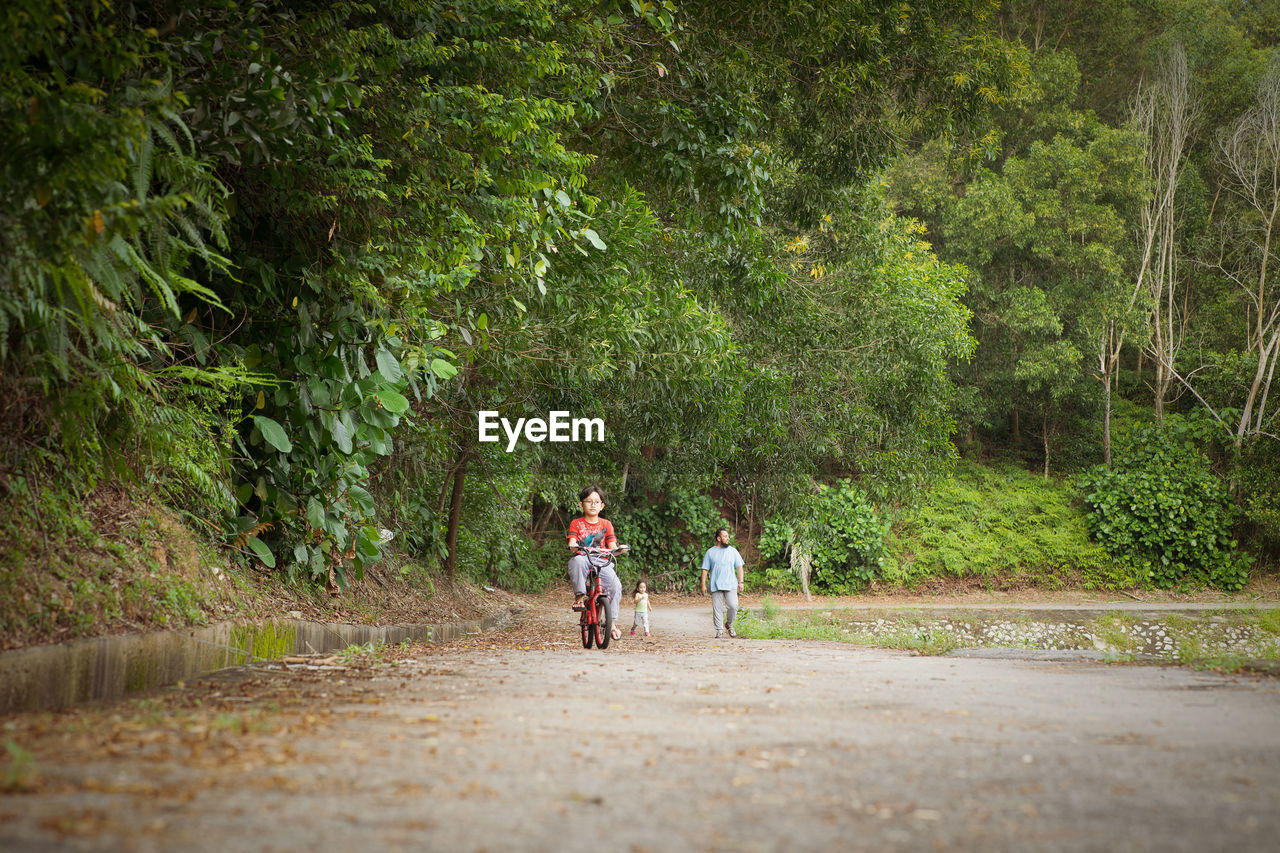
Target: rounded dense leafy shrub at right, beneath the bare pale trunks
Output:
{"points": [[1162, 510]]}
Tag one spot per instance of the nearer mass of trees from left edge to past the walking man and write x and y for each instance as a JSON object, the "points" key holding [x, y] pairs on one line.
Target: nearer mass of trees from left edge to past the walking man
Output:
{"points": [[273, 259]]}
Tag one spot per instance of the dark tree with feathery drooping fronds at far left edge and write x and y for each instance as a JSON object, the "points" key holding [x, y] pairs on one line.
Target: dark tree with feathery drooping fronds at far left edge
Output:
{"points": [[112, 227]]}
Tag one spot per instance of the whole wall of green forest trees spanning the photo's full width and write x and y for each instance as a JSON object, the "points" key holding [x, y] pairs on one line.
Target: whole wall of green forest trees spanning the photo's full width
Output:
{"points": [[268, 262]]}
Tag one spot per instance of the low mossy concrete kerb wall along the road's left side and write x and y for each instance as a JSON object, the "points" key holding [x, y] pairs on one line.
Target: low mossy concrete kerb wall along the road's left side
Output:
{"points": [[109, 668]]}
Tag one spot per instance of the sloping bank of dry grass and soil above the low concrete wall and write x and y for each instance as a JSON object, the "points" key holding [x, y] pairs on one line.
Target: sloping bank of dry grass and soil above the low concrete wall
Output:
{"points": [[79, 567]]}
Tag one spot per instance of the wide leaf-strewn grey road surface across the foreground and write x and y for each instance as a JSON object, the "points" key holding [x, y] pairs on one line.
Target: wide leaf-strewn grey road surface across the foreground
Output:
{"points": [[522, 741]]}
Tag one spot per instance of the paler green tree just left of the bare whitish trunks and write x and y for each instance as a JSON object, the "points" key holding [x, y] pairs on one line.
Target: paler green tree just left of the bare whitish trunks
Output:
{"points": [[1046, 231]]}
